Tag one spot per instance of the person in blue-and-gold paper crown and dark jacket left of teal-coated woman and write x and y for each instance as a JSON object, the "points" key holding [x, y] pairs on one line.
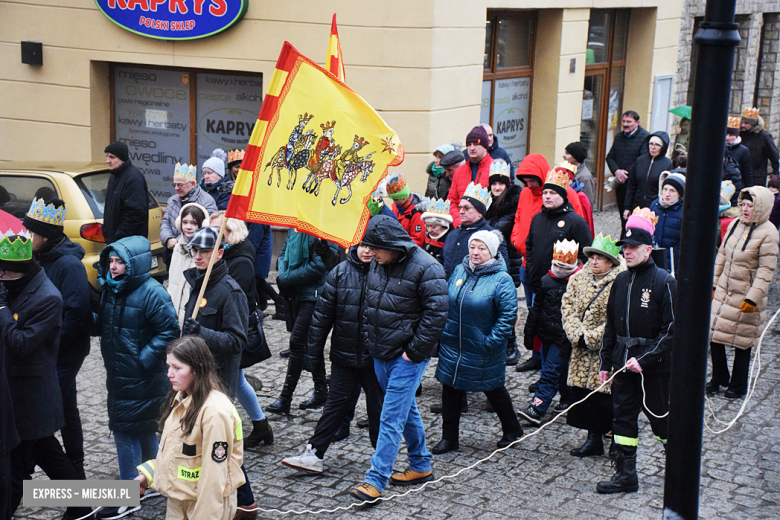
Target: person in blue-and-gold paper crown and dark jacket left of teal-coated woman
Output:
{"points": [[61, 260]]}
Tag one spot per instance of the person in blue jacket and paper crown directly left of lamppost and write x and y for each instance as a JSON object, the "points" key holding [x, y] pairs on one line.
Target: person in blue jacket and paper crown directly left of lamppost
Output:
{"points": [[668, 208]]}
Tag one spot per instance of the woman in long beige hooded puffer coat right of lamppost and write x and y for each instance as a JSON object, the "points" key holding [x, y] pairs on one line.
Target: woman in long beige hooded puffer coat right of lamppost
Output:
{"points": [[744, 269]]}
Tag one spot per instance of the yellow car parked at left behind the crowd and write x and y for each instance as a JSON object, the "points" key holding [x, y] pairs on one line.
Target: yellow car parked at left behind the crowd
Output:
{"points": [[83, 188]]}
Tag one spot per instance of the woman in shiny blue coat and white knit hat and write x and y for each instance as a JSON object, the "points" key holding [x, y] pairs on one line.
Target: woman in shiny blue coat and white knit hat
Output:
{"points": [[472, 351]]}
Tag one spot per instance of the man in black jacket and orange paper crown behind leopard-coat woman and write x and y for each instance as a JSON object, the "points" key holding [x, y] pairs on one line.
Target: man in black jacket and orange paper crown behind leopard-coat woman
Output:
{"points": [[557, 221]]}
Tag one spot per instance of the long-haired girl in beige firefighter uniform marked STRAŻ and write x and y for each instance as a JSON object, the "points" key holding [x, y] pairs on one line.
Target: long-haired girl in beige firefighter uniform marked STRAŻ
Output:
{"points": [[198, 465]]}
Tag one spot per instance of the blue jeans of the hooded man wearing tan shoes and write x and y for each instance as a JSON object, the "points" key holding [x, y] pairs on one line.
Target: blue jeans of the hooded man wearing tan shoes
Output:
{"points": [[399, 379]]}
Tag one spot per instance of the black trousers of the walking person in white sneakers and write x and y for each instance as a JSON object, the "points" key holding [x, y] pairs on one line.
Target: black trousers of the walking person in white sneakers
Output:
{"points": [[343, 382]]}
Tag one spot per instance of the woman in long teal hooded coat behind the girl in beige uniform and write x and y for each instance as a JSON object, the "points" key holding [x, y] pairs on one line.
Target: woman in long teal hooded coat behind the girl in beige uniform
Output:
{"points": [[136, 322]]}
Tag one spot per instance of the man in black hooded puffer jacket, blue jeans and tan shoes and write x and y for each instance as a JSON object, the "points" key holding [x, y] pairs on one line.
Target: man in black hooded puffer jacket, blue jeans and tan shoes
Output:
{"points": [[405, 312]]}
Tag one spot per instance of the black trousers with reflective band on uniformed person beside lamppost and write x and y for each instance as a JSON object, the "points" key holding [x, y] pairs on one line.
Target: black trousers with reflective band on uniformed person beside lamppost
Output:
{"points": [[627, 402]]}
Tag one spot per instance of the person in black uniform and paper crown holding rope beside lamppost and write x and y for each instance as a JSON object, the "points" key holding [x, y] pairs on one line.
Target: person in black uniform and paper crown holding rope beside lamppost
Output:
{"points": [[637, 343]]}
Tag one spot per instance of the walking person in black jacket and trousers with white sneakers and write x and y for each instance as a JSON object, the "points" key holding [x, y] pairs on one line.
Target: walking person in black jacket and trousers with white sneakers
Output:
{"points": [[340, 308]]}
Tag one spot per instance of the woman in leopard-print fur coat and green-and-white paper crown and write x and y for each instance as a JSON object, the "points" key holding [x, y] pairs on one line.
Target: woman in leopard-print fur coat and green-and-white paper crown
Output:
{"points": [[584, 313]]}
